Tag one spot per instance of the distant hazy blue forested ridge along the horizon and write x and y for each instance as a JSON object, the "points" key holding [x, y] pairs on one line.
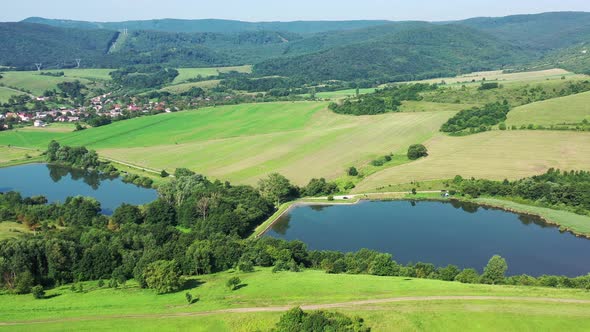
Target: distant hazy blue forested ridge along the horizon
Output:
{"points": [[213, 25]]}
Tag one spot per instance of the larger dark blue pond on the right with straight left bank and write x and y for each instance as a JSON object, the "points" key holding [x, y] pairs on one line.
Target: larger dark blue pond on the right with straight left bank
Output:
{"points": [[440, 233]]}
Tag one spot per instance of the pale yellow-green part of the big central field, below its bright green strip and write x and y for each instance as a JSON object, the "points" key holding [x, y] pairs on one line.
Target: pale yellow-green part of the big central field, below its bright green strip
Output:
{"points": [[325, 147]]}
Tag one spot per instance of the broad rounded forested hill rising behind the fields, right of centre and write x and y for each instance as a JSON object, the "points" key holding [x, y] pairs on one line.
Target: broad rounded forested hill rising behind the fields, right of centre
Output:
{"points": [[412, 54]]}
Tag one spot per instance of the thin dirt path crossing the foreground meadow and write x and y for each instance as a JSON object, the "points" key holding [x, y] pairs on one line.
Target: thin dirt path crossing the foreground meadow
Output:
{"points": [[304, 307]]}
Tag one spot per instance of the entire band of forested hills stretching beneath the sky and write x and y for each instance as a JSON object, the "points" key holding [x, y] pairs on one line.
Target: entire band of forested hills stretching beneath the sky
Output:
{"points": [[378, 51]]}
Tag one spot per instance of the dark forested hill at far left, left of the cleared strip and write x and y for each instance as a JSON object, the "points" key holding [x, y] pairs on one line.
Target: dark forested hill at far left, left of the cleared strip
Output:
{"points": [[27, 43]]}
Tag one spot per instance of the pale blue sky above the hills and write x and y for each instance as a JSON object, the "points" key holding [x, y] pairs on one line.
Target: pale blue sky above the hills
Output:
{"points": [[280, 10]]}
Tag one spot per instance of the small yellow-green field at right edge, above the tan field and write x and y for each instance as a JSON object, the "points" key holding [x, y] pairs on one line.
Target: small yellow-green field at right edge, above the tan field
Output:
{"points": [[570, 109]]}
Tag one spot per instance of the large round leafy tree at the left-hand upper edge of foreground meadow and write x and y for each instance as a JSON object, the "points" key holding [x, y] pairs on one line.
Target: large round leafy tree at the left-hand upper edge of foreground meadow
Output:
{"points": [[163, 276]]}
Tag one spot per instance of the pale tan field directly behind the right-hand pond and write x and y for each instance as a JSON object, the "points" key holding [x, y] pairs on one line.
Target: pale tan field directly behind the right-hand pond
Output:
{"points": [[491, 155]]}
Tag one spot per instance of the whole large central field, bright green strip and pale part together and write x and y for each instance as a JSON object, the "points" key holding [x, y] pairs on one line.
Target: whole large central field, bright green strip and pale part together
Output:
{"points": [[242, 143]]}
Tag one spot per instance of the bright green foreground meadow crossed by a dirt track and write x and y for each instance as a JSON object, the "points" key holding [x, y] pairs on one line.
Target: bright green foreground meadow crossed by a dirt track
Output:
{"points": [[134, 308]]}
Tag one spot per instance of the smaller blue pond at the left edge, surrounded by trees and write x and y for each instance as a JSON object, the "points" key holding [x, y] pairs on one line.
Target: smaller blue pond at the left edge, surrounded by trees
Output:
{"points": [[57, 183]]}
